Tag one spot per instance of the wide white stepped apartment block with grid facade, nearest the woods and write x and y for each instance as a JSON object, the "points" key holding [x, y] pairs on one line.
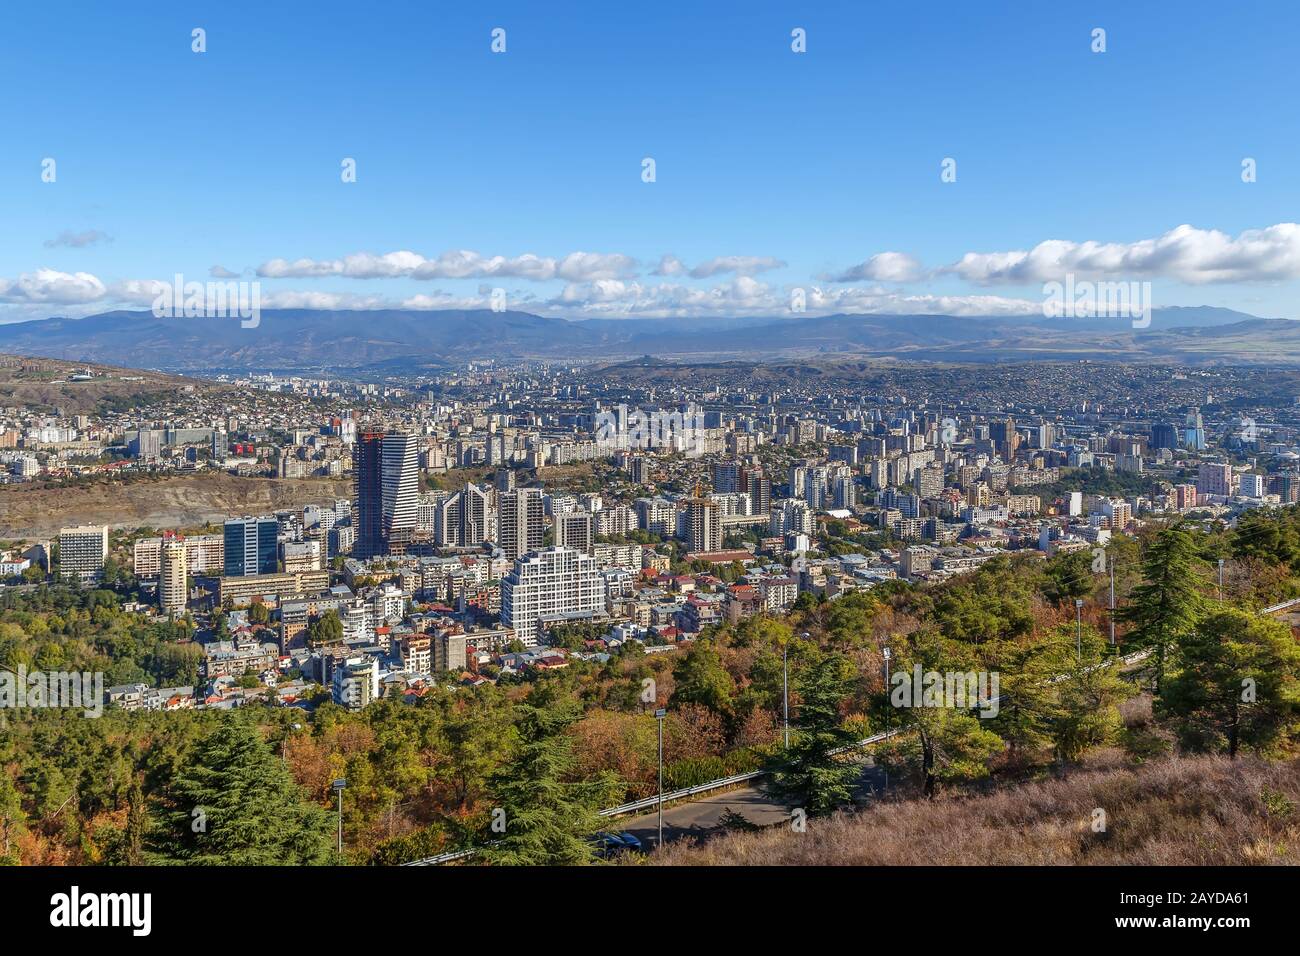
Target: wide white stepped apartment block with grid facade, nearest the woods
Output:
{"points": [[549, 583]]}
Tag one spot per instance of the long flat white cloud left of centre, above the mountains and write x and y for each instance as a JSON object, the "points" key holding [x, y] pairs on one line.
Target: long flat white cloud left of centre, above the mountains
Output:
{"points": [[577, 267]]}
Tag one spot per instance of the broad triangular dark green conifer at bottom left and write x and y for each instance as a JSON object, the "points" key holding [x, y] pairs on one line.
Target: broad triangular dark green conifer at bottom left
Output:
{"points": [[236, 804]]}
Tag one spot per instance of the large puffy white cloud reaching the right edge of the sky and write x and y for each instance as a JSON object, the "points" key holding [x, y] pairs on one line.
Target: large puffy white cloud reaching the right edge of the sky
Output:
{"points": [[1188, 254]]}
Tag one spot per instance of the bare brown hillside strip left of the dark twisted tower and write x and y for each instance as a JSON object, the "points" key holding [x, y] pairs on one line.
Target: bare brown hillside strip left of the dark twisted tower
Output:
{"points": [[29, 513]]}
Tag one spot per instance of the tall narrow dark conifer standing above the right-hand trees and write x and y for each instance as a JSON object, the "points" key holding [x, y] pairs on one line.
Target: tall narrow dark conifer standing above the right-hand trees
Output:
{"points": [[1168, 603]]}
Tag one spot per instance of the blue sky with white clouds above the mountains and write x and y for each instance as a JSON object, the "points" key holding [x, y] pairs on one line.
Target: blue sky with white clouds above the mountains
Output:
{"points": [[774, 170]]}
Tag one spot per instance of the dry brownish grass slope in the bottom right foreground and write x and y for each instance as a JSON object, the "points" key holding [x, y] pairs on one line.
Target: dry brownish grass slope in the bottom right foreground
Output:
{"points": [[1198, 812]]}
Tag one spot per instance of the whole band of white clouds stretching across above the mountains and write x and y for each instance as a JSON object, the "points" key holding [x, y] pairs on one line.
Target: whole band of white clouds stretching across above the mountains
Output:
{"points": [[612, 285]]}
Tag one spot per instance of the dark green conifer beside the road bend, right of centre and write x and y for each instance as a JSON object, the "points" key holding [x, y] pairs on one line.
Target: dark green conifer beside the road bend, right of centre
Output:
{"points": [[812, 776]]}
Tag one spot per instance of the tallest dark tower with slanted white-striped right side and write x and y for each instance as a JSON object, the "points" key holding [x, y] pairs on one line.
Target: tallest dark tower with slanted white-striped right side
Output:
{"points": [[387, 477]]}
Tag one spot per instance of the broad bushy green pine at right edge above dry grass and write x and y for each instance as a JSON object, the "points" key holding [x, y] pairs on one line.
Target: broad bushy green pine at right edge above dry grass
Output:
{"points": [[1237, 684]]}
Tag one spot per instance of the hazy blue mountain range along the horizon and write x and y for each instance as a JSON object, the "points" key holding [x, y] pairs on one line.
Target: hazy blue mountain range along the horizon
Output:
{"points": [[398, 340]]}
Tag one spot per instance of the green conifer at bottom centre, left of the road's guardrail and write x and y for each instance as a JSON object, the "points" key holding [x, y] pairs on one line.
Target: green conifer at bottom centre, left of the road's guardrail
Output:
{"points": [[540, 819]]}
